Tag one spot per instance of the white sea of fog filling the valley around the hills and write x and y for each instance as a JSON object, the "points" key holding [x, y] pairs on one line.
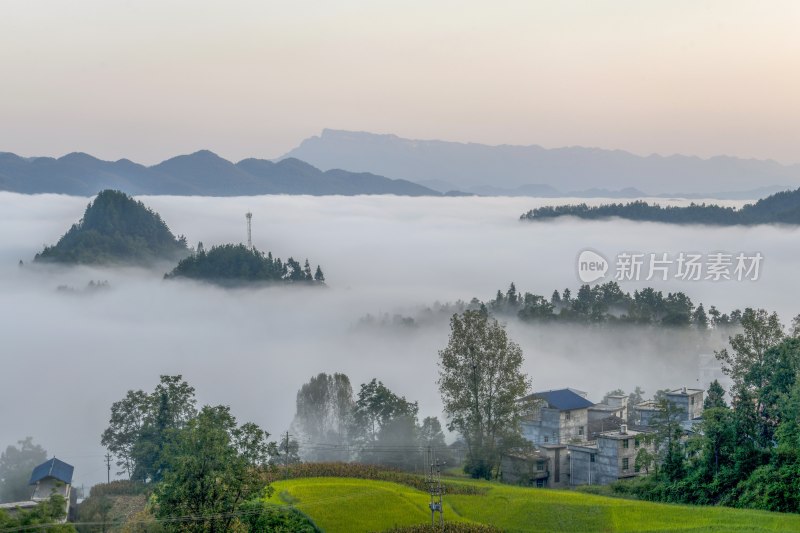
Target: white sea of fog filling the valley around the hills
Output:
{"points": [[67, 356]]}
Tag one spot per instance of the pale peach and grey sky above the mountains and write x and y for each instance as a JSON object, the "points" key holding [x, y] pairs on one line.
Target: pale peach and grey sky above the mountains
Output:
{"points": [[147, 80]]}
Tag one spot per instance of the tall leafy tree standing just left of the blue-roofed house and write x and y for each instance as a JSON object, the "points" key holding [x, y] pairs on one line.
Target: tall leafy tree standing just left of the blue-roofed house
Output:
{"points": [[481, 382]]}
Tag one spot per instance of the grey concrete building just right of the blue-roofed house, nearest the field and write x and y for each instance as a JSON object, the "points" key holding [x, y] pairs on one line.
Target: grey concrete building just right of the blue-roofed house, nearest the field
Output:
{"points": [[610, 458]]}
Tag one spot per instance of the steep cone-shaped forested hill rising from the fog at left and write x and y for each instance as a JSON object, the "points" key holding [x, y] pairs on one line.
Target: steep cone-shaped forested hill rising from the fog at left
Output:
{"points": [[116, 229]]}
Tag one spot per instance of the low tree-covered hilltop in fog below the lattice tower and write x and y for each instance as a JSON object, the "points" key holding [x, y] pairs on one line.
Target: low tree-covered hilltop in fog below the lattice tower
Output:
{"points": [[234, 264]]}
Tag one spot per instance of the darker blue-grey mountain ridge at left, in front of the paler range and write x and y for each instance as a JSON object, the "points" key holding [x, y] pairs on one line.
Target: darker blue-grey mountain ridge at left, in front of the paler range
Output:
{"points": [[202, 173]]}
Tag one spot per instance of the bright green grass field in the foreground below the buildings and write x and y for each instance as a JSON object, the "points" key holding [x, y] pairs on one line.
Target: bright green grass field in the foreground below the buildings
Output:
{"points": [[353, 505]]}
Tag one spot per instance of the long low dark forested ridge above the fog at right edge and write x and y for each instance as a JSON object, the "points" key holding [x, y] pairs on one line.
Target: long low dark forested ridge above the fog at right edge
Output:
{"points": [[779, 208]]}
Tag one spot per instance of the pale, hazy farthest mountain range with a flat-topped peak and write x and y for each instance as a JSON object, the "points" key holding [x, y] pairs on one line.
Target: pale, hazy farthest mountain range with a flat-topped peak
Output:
{"points": [[506, 169]]}
